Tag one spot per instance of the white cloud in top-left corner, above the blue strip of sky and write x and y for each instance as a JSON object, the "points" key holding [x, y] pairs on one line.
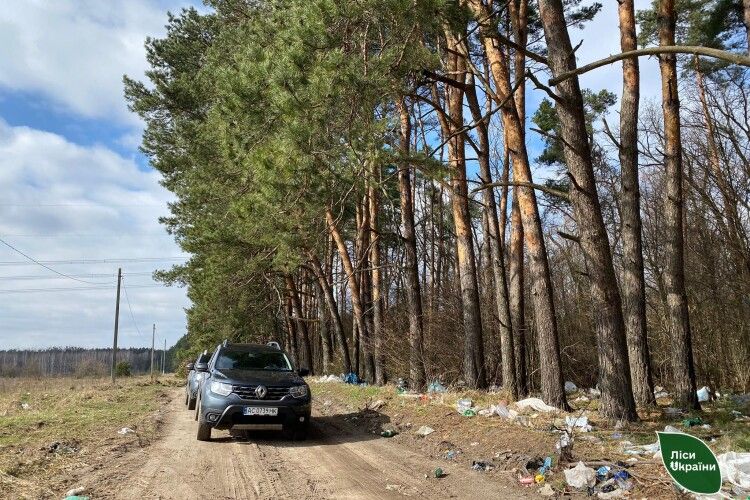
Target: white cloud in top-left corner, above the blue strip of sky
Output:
{"points": [[76, 52]]}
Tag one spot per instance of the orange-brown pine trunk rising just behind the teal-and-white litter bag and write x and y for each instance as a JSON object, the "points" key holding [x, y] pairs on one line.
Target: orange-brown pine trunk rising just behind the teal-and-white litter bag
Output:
{"points": [[474, 372]]}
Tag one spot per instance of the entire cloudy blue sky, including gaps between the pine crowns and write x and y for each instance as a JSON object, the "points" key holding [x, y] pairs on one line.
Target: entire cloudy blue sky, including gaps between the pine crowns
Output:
{"points": [[73, 186]]}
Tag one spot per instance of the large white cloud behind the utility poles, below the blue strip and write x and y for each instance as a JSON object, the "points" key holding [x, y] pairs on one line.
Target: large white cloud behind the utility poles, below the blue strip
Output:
{"points": [[64, 201]]}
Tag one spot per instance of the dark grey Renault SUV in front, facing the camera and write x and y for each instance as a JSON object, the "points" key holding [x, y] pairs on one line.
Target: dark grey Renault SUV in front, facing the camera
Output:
{"points": [[252, 387]]}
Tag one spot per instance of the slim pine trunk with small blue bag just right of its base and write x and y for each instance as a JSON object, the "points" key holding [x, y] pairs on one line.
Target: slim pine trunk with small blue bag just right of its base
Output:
{"points": [[411, 276]]}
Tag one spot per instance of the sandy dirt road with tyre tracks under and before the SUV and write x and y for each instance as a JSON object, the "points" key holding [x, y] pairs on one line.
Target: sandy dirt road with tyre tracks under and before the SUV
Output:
{"points": [[339, 460]]}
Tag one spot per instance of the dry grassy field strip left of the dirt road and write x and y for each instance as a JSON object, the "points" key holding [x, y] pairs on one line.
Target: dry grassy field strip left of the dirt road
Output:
{"points": [[52, 430]]}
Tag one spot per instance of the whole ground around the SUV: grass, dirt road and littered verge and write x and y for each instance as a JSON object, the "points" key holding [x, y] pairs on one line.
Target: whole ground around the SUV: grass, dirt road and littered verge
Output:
{"points": [[344, 457]]}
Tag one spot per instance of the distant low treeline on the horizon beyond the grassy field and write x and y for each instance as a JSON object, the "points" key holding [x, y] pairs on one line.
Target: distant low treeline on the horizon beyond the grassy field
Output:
{"points": [[76, 361]]}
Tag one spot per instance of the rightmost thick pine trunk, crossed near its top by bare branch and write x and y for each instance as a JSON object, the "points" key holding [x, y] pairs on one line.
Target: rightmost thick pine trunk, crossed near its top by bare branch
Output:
{"points": [[683, 369]]}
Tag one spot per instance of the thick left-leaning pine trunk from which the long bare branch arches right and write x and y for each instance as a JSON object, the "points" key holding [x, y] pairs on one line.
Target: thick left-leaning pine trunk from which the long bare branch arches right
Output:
{"points": [[614, 372]]}
